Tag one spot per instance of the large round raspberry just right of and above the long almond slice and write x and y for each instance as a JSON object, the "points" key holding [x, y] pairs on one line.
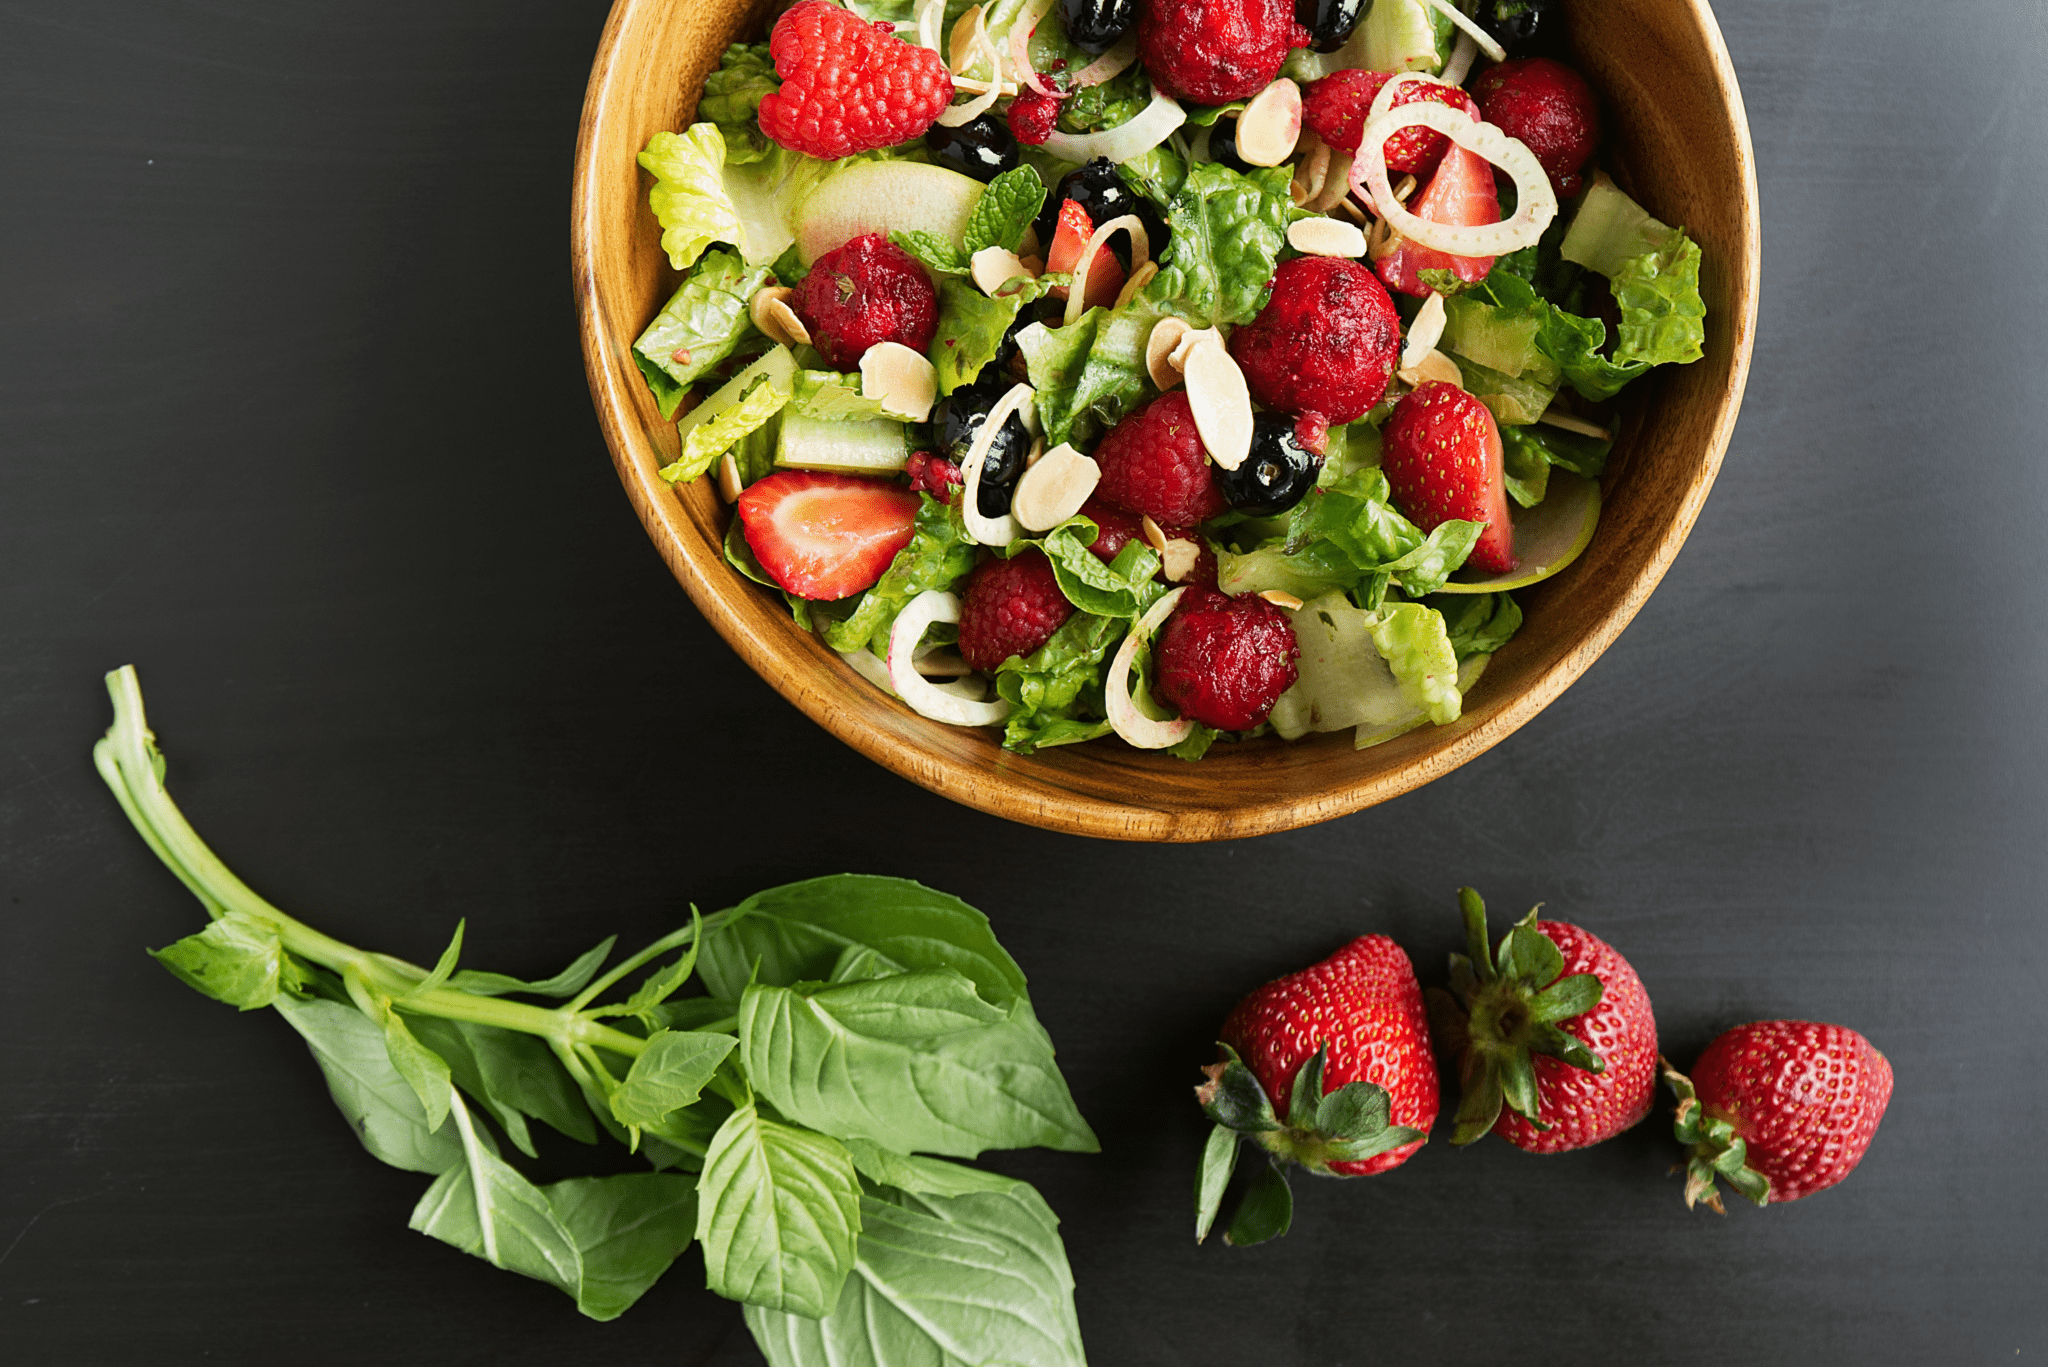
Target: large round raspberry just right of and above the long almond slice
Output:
{"points": [[1324, 343]]}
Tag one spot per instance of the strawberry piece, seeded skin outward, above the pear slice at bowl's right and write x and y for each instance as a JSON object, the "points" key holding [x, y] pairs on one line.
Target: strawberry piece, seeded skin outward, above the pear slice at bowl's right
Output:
{"points": [[1443, 460]]}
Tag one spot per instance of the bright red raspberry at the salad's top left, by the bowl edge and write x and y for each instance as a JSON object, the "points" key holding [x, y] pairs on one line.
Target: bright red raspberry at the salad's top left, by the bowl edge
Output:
{"points": [[849, 85]]}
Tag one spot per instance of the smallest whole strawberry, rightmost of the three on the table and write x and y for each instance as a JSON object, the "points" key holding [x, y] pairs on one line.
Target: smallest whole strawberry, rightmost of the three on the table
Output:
{"points": [[1781, 1110]]}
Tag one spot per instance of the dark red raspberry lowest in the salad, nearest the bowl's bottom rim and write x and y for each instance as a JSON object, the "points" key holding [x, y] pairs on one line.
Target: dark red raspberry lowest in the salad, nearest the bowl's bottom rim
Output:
{"points": [[1226, 661]]}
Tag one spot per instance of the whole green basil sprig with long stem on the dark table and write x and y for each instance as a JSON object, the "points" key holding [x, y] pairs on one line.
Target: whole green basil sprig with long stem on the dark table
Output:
{"points": [[851, 1028]]}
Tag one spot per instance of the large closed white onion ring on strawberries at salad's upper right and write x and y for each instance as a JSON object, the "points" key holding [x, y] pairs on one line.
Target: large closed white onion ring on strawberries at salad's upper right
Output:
{"points": [[1537, 202]]}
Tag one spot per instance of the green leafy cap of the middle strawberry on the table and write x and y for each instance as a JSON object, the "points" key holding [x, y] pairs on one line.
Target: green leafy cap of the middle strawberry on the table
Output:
{"points": [[1506, 1011]]}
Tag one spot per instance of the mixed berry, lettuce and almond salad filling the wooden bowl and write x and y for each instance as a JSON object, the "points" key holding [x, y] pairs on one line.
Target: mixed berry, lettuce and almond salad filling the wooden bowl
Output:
{"points": [[1162, 370]]}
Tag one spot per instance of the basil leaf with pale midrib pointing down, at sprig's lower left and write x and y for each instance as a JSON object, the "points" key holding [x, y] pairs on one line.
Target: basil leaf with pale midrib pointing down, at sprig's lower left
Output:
{"points": [[486, 1208]]}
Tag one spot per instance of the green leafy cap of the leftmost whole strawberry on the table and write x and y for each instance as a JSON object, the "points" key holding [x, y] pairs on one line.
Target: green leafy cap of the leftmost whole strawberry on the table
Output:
{"points": [[1347, 1126]]}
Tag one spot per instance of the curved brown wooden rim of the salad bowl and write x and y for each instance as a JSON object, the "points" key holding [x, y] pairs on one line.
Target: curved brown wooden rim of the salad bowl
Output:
{"points": [[1048, 804]]}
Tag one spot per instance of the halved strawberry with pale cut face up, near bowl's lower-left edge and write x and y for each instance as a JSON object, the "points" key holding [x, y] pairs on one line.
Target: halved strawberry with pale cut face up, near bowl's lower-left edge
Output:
{"points": [[826, 536]]}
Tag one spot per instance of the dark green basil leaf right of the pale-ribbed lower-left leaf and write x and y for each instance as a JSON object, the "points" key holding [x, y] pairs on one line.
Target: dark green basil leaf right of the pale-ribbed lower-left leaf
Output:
{"points": [[628, 1229]]}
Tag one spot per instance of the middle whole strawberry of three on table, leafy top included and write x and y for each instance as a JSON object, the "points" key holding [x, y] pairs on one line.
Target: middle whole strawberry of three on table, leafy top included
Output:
{"points": [[1553, 1036]]}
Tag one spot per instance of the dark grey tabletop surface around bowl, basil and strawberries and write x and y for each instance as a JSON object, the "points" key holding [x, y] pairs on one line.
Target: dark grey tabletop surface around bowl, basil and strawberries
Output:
{"points": [[292, 417]]}
